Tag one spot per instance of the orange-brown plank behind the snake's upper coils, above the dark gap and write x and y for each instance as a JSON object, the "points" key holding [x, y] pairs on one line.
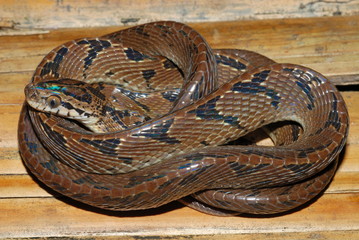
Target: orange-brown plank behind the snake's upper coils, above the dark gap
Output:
{"points": [[332, 49]]}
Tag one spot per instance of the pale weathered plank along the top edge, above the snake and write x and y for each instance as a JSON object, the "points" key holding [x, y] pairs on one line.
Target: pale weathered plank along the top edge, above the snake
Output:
{"points": [[70, 13]]}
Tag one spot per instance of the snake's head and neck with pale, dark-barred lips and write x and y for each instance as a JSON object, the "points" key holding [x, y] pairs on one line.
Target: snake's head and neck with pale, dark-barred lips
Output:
{"points": [[86, 103]]}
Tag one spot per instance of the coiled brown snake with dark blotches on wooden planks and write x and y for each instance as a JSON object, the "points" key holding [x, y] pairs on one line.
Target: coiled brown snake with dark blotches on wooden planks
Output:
{"points": [[151, 114]]}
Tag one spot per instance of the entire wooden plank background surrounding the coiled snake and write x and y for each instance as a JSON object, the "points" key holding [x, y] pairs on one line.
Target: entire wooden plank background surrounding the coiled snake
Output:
{"points": [[329, 43]]}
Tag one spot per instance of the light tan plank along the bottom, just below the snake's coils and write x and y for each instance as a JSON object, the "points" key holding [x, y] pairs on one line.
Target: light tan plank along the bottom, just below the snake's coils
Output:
{"points": [[58, 218]]}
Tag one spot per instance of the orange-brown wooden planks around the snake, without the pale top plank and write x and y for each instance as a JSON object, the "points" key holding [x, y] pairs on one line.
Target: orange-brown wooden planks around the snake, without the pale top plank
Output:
{"points": [[31, 210]]}
